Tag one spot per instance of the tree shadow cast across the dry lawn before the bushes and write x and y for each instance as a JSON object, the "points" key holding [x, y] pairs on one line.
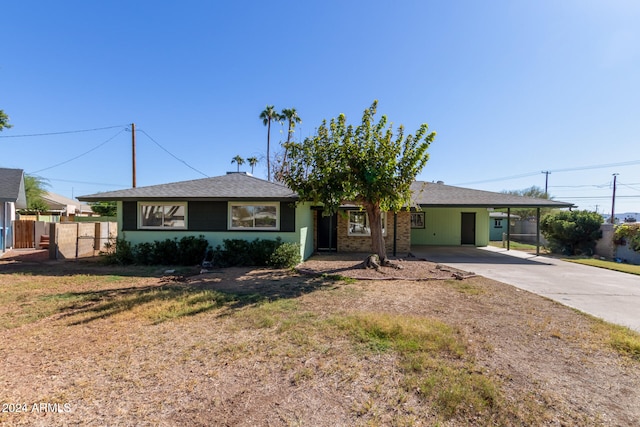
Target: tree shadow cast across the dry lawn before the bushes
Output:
{"points": [[175, 297]]}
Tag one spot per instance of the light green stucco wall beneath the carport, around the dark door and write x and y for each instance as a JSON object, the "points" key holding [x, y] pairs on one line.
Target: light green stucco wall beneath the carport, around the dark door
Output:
{"points": [[443, 227]]}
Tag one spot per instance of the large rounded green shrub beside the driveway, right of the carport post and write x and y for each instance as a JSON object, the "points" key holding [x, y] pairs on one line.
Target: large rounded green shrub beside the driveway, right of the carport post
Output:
{"points": [[572, 232]]}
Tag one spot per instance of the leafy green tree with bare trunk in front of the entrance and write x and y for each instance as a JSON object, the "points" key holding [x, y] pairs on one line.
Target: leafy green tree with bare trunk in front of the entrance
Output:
{"points": [[367, 165]]}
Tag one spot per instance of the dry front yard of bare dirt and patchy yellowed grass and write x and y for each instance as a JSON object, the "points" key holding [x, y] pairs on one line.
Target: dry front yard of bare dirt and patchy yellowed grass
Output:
{"points": [[84, 343]]}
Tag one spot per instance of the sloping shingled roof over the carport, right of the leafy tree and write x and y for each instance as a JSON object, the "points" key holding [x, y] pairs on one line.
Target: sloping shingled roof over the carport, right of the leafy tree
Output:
{"points": [[429, 194]]}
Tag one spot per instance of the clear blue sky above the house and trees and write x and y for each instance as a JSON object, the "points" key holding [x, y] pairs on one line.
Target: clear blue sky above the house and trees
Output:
{"points": [[511, 87]]}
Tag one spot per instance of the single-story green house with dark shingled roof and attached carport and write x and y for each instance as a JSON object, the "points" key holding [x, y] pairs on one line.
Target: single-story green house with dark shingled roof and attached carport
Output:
{"points": [[240, 206]]}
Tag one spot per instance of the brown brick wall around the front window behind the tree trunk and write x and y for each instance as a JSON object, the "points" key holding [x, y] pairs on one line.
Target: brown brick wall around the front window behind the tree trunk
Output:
{"points": [[348, 243]]}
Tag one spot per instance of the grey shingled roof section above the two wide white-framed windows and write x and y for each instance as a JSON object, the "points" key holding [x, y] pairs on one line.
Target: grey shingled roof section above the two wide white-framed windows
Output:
{"points": [[232, 186]]}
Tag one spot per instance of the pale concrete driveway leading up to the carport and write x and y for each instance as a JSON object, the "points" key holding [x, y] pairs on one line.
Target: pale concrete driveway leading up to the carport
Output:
{"points": [[609, 295]]}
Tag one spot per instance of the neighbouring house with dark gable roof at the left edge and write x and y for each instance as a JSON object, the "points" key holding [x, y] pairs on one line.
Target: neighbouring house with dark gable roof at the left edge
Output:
{"points": [[12, 197]]}
